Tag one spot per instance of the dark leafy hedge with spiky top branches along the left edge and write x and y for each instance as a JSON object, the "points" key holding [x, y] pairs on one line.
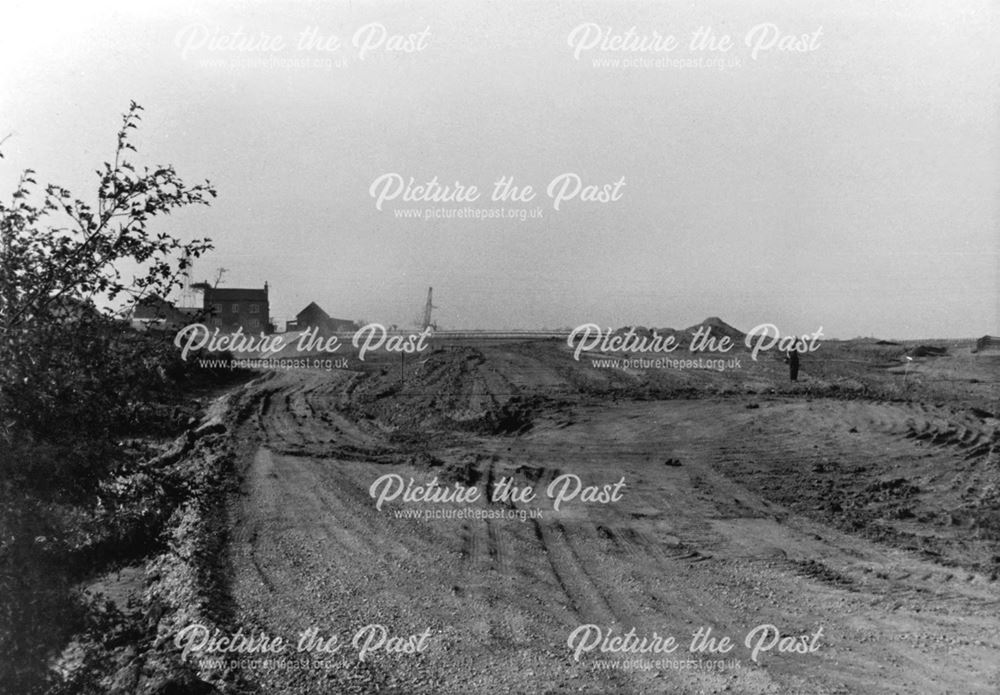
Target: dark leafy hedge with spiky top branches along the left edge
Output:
{"points": [[83, 398]]}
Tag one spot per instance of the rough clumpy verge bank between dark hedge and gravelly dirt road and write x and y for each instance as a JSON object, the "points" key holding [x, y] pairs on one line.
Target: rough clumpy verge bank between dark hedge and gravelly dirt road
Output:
{"points": [[136, 611]]}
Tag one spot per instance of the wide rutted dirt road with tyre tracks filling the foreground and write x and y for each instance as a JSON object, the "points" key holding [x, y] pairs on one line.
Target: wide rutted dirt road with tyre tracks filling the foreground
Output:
{"points": [[867, 521]]}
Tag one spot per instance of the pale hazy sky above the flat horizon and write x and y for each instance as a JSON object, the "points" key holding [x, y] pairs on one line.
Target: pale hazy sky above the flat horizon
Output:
{"points": [[851, 184]]}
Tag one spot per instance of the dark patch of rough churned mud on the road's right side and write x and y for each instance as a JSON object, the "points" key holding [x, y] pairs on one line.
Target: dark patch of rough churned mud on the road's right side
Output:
{"points": [[893, 469]]}
